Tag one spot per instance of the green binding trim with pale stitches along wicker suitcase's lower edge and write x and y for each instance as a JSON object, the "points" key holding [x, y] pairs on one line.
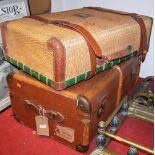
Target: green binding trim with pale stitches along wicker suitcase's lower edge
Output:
{"points": [[74, 80]]}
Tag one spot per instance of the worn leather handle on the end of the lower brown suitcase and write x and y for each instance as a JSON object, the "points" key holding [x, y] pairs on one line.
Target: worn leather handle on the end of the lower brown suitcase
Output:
{"points": [[54, 115]]}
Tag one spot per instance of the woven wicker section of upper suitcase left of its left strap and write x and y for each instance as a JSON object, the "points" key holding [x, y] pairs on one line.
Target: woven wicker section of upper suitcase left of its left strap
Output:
{"points": [[29, 46]]}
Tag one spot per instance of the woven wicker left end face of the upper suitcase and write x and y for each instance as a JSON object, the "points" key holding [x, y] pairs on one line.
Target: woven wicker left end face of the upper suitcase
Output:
{"points": [[29, 47]]}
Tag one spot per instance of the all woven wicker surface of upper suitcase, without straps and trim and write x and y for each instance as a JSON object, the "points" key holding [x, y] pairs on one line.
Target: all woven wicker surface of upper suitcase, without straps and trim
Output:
{"points": [[27, 39]]}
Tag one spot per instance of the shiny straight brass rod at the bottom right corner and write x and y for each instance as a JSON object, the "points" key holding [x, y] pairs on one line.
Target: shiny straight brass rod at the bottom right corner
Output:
{"points": [[148, 150]]}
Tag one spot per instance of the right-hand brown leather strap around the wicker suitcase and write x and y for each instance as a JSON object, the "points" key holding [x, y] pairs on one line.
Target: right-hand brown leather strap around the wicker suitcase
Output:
{"points": [[139, 20]]}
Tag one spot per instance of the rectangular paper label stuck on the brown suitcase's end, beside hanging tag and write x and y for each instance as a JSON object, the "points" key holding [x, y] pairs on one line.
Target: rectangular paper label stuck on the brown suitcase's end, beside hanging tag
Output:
{"points": [[65, 133]]}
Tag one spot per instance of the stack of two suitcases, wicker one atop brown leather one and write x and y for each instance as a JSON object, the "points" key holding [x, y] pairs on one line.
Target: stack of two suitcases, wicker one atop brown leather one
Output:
{"points": [[90, 57]]}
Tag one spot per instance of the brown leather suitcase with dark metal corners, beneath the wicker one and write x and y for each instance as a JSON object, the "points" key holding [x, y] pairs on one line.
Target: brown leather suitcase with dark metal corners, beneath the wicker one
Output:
{"points": [[73, 113]]}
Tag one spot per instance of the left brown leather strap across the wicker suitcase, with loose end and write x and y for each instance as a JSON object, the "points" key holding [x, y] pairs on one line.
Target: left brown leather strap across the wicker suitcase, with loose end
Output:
{"points": [[94, 49]]}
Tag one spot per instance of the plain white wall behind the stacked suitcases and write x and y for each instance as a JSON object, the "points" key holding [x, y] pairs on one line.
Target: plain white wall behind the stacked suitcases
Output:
{"points": [[145, 7]]}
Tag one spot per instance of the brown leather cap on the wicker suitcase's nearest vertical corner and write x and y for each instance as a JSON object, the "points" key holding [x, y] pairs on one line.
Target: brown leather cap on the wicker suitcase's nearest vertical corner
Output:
{"points": [[55, 45]]}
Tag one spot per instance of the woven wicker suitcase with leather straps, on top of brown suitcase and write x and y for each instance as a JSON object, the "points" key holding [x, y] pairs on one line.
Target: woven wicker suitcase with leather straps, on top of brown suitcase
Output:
{"points": [[62, 49]]}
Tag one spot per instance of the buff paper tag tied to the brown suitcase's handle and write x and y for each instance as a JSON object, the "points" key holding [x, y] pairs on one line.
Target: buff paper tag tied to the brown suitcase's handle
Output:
{"points": [[42, 123]]}
